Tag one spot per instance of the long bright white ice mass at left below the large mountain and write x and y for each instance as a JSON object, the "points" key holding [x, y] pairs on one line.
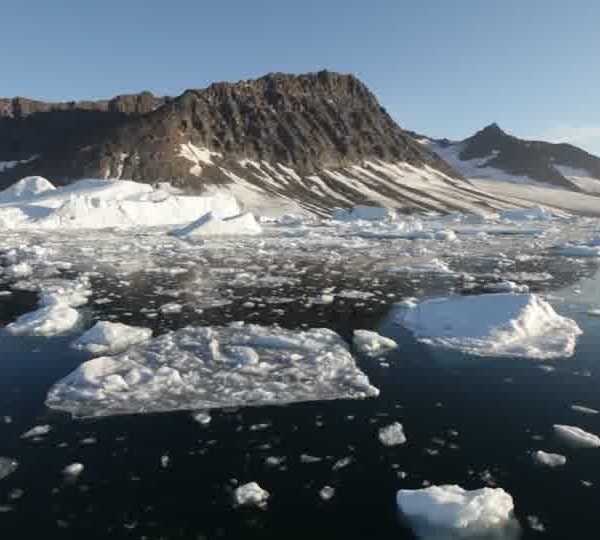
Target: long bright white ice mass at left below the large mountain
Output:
{"points": [[99, 204]]}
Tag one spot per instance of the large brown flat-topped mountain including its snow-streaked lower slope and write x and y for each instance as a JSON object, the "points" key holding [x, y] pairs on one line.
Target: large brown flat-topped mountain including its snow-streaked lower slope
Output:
{"points": [[318, 141]]}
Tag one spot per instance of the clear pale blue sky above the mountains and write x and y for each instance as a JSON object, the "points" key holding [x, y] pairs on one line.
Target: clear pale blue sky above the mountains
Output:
{"points": [[444, 68]]}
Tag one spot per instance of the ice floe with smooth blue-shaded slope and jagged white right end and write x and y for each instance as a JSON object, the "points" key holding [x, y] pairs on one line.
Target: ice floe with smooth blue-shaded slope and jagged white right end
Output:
{"points": [[521, 325]]}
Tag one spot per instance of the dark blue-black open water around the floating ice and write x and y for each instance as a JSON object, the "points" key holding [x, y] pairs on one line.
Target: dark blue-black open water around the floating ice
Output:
{"points": [[502, 409]]}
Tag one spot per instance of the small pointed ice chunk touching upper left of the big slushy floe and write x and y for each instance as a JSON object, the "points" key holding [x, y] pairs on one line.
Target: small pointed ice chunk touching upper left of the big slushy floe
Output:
{"points": [[111, 338]]}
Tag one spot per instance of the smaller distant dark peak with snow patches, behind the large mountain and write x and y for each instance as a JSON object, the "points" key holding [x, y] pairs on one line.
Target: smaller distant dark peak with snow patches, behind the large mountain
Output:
{"points": [[493, 154]]}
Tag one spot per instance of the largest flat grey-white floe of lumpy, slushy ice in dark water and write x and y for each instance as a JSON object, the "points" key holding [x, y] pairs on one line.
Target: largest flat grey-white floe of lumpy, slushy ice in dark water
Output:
{"points": [[212, 367]]}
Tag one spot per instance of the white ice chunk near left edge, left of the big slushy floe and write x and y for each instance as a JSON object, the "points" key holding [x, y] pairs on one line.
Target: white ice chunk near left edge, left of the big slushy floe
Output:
{"points": [[51, 320]]}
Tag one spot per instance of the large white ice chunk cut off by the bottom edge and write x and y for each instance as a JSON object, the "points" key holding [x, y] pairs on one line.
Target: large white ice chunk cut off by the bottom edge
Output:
{"points": [[451, 512]]}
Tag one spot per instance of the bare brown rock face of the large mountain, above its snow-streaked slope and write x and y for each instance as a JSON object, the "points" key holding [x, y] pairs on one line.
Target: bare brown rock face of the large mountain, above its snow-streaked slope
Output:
{"points": [[306, 122]]}
